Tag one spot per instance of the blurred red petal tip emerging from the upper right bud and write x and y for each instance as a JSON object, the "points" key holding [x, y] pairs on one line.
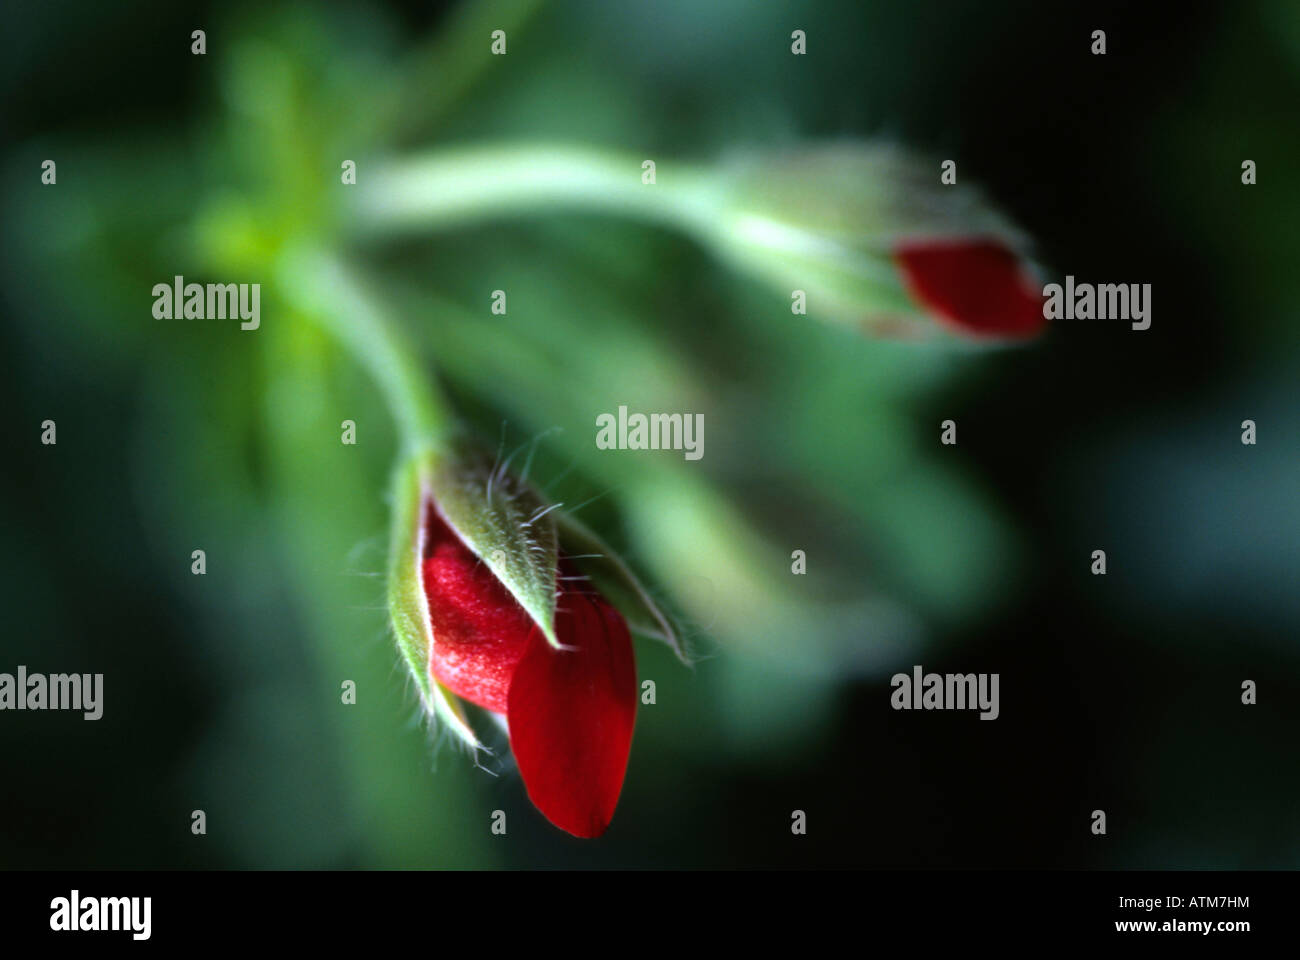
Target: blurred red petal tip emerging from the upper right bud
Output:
{"points": [[977, 287]]}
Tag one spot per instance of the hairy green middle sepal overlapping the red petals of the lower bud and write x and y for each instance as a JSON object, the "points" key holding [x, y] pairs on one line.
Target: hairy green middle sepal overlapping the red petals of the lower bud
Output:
{"points": [[506, 525]]}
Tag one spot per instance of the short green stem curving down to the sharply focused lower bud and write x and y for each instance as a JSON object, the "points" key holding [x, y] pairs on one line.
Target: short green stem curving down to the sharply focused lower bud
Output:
{"points": [[328, 291]]}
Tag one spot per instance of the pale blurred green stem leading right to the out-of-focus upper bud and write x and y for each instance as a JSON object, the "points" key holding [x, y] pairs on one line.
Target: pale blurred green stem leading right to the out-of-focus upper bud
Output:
{"points": [[469, 185]]}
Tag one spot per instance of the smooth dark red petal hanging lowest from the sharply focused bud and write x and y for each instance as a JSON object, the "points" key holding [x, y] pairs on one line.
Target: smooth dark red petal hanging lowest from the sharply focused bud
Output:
{"points": [[571, 715]]}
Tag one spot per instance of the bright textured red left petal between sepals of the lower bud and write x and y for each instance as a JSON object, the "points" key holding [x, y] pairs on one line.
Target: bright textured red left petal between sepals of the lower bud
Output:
{"points": [[479, 630]]}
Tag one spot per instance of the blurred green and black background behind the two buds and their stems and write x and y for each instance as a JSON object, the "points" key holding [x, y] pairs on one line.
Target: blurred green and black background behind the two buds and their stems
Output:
{"points": [[223, 691]]}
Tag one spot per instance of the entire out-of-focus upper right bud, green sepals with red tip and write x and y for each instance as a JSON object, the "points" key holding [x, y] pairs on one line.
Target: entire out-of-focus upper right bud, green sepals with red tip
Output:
{"points": [[874, 239]]}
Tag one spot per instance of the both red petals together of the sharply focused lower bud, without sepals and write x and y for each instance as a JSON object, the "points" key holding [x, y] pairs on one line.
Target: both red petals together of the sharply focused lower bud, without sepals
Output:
{"points": [[570, 710]]}
